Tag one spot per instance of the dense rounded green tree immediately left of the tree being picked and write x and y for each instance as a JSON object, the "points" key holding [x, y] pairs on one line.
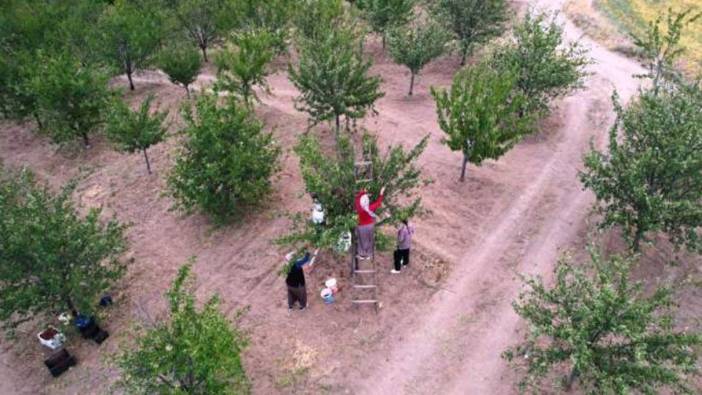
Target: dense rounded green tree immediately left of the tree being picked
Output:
{"points": [[227, 161]]}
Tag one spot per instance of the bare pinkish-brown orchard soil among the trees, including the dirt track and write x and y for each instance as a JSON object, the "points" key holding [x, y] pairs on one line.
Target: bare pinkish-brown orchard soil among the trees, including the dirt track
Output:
{"points": [[443, 323]]}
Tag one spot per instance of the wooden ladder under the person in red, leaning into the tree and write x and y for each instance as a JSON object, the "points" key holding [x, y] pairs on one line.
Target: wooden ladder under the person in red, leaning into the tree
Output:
{"points": [[363, 271]]}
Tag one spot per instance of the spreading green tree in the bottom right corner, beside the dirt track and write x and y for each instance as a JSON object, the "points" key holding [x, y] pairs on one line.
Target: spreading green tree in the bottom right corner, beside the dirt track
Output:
{"points": [[603, 328]]}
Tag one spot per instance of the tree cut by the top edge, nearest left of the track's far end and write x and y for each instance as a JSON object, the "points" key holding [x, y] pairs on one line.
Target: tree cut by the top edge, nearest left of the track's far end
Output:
{"points": [[473, 22]]}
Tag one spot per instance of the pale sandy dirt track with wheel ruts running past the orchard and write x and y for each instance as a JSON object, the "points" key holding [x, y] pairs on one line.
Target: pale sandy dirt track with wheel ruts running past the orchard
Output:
{"points": [[456, 347]]}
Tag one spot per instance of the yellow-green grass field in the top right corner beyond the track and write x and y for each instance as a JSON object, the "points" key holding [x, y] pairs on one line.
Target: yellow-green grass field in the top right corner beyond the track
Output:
{"points": [[632, 17]]}
